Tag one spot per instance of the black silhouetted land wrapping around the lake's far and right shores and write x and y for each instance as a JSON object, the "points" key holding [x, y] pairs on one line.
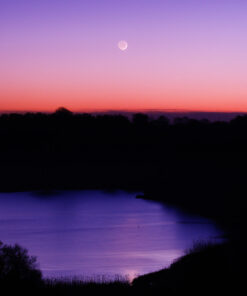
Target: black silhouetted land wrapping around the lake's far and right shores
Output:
{"points": [[197, 165]]}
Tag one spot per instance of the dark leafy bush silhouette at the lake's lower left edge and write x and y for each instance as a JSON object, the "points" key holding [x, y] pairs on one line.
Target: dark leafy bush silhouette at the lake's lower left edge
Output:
{"points": [[17, 268]]}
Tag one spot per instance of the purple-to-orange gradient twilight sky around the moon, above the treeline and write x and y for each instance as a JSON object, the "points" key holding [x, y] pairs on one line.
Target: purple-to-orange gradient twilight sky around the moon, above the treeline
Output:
{"points": [[182, 54]]}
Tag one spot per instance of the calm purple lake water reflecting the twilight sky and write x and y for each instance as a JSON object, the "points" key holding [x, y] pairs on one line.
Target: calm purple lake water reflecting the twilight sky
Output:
{"points": [[90, 233]]}
